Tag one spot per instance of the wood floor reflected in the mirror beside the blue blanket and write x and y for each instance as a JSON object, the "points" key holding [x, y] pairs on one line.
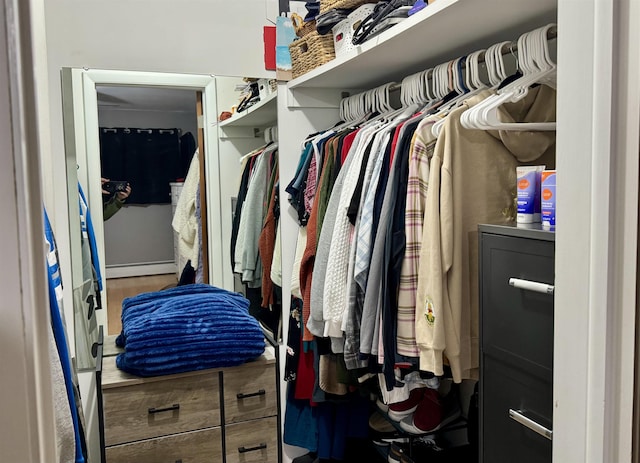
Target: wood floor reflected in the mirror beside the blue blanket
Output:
{"points": [[121, 288]]}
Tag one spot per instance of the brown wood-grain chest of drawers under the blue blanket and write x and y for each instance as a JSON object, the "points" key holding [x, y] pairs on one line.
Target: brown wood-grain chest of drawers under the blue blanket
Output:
{"points": [[227, 415]]}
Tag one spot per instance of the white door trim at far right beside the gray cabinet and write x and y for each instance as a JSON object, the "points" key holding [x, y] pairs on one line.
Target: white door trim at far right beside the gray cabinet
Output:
{"points": [[597, 236]]}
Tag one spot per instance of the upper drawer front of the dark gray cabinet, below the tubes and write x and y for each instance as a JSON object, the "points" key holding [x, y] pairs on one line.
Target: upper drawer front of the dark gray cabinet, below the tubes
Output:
{"points": [[517, 324]]}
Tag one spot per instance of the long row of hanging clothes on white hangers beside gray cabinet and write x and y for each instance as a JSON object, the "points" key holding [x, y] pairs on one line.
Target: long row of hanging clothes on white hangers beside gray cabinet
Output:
{"points": [[384, 281]]}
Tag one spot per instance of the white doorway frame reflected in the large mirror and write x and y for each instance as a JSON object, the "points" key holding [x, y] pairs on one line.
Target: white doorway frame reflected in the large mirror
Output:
{"points": [[86, 151]]}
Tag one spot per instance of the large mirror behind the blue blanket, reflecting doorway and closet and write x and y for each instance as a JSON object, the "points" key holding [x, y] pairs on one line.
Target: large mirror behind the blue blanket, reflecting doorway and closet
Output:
{"points": [[143, 129]]}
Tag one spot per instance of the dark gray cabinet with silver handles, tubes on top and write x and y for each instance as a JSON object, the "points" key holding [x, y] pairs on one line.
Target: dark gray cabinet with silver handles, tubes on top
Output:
{"points": [[516, 339]]}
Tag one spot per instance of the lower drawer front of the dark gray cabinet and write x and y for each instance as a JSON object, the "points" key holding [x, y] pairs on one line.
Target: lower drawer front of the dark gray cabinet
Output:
{"points": [[502, 388]]}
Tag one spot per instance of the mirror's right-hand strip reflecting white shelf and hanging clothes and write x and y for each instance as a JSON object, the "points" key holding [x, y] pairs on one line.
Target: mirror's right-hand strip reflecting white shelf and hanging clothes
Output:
{"points": [[247, 122]]}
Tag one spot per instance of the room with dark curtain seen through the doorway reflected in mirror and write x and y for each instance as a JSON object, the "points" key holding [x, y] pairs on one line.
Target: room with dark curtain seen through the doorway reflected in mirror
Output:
{"points": [[148, 137]]}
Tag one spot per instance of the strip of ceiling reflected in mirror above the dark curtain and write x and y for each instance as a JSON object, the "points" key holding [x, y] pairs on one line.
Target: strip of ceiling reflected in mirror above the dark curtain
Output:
{"points": [[146, 98]]}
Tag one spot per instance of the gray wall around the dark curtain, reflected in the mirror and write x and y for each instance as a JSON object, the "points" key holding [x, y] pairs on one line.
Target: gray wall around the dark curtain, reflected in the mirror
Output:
{"points": [[151, 222]]}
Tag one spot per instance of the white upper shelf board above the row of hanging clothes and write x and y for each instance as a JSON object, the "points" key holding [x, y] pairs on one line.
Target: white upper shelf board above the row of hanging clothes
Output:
{"points": [[445, 28]]}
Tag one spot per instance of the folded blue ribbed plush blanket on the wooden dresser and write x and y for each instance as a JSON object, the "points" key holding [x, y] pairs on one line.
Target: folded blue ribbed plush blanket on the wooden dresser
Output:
{"points": [[187, 328]]}
